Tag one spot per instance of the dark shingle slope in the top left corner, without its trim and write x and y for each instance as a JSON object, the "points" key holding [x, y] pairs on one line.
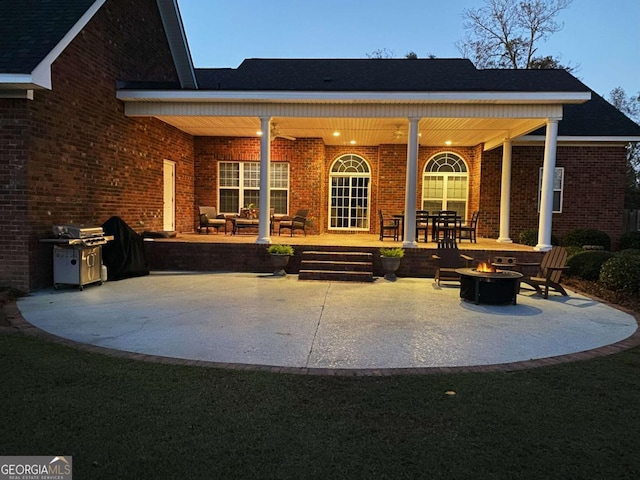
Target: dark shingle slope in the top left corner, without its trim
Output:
{"points": [[30, 29]]}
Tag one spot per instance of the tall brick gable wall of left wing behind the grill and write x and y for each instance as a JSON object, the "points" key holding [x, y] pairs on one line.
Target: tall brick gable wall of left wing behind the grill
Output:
{"points": [[86, 160]]}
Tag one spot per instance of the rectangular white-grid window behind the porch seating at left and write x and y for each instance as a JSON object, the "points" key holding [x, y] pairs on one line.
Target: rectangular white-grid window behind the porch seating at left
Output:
{"points": [[239, 186]]}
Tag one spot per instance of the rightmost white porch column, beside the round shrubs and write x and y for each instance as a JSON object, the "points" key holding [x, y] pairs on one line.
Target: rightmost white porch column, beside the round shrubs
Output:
{"points": [[546, 199]]}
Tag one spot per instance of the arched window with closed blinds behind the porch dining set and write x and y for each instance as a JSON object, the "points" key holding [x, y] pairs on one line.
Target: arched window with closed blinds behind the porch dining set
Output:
{"points": [[445, 184]]}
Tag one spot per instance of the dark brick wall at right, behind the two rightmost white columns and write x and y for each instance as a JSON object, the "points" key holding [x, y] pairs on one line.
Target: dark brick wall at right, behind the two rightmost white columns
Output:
{"points": [[593, 189]]}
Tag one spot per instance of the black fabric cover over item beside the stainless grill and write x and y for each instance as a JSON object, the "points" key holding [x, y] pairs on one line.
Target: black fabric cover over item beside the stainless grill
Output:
{"points": [[124, 256]]}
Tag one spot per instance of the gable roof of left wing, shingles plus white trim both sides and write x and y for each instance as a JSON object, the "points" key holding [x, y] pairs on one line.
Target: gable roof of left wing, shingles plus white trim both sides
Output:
{"points": [[33, 33]]}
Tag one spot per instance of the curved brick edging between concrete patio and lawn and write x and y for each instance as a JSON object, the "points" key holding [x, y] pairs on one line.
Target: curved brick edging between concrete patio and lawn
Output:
{"points": [[18, 325]]}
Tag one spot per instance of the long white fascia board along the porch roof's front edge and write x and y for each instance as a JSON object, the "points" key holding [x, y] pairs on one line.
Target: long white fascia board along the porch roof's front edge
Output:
{"points": [[355, 97]]}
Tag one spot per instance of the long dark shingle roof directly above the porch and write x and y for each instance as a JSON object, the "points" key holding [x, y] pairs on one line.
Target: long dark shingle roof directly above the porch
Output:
{"points": [[381, 75]]}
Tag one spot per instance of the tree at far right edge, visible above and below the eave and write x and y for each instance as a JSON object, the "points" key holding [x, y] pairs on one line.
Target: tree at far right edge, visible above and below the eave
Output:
{"points": [[630, 105]]}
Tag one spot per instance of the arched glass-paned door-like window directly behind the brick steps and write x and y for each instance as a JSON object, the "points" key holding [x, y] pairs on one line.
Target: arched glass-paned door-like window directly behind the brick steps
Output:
{"points": [[349, 193]]}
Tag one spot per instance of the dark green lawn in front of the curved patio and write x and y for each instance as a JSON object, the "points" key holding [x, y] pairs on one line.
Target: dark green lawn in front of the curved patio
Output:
{"points": [[124, 419]]}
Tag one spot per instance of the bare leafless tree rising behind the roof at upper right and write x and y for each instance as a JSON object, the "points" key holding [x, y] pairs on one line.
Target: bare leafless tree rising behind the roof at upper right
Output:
{"points": [[507, 33]]}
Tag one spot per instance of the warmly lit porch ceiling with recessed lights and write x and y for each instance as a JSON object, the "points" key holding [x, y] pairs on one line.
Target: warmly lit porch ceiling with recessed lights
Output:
{"points": [[364, 131]]}
